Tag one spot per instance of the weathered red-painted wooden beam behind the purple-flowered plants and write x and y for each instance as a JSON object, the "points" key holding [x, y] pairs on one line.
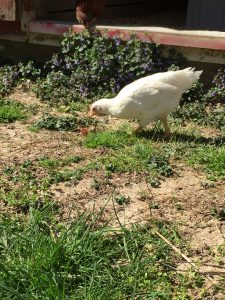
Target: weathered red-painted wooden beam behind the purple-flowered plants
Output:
{"points": [[185, 38]]}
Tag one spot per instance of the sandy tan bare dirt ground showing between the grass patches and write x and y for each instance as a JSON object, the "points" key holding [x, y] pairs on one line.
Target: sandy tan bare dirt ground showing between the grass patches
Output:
{"points": [[182, 199]]}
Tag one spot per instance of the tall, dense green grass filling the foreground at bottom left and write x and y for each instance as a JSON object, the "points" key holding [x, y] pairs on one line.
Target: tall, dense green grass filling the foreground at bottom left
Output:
{"points": [[41, 259]]}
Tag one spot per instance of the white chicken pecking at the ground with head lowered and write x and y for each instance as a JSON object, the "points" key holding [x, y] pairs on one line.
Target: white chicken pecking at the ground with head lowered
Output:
{"points": [[148, 99]]}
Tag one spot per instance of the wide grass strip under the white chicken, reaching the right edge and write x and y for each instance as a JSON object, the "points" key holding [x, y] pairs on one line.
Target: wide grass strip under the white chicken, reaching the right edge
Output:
{"points": [[144, 154]]}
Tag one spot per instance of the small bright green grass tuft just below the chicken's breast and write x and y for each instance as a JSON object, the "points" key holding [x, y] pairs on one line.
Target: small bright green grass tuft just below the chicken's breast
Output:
{"points": [[110, 139]]}
